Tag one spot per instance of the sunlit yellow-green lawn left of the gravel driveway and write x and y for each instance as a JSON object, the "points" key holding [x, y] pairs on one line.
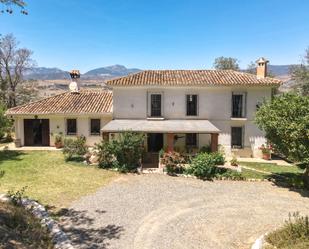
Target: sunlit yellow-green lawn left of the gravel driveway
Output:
{"points": [[49, 178]]}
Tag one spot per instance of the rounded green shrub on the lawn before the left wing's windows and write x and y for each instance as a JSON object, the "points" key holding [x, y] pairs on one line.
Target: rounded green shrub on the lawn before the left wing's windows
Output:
{"points": [[74, 148]]}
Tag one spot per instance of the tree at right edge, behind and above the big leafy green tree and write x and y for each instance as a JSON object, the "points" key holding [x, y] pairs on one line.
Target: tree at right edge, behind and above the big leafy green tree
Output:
{"points": [[300, 74]]}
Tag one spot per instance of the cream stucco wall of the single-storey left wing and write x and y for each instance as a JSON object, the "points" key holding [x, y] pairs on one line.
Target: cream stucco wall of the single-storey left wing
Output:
{"points": [[57, 125]]}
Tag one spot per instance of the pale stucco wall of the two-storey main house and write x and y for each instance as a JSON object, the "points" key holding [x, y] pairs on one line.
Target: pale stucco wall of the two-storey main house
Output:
{"points": [[214, 104]]}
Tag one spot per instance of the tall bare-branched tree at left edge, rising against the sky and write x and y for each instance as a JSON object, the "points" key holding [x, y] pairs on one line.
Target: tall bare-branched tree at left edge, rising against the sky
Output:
{"points": [[13, 63]]}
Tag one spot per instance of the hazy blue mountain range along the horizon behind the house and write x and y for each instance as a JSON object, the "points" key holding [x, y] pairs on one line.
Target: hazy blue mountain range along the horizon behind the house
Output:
{"points": [[104, 73]]}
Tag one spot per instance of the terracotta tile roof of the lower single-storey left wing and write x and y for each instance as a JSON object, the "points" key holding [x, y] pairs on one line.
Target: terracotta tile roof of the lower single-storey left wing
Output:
{"points": [[86, 101]]}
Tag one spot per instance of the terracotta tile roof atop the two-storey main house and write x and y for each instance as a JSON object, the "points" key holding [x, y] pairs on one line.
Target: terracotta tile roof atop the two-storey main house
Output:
{"points": [[191, 78]]}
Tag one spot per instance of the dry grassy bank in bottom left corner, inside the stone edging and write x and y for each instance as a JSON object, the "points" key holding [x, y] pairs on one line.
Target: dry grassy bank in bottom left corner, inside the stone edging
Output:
{"points": [[19, 229]]}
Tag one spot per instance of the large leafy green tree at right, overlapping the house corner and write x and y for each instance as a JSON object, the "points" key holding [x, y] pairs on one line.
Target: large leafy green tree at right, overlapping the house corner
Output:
{"points": [[285, 120]]}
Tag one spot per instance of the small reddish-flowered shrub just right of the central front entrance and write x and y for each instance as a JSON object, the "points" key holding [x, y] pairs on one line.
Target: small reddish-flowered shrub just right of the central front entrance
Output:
{"points": [[173, 162]]}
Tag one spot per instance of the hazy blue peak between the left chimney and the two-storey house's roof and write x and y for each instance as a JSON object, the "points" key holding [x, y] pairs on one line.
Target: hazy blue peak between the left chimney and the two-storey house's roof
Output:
{"points": [[110, 72]]}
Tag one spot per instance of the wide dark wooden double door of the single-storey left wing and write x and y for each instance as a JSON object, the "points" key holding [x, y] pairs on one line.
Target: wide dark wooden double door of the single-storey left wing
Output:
{"points": [[36, 132]]}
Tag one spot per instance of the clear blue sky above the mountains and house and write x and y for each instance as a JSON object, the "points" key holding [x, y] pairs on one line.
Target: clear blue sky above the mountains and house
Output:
{"points": [[160, 34]]}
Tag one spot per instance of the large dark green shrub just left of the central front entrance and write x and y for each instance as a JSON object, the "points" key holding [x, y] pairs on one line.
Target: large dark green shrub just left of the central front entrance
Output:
{"points": [[123, 153]]}
